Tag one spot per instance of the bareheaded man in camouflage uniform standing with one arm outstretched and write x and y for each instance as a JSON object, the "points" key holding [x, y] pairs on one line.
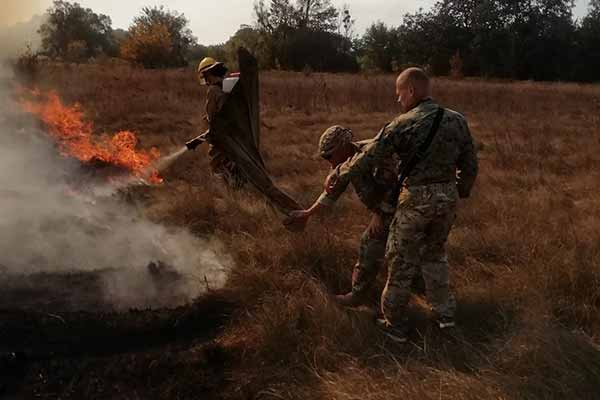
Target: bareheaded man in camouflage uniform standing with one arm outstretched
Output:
{"points": [[427, 205]]}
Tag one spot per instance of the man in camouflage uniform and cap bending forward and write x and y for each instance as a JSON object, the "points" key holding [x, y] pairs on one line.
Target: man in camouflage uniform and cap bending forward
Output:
{"points": [[336, 146]]}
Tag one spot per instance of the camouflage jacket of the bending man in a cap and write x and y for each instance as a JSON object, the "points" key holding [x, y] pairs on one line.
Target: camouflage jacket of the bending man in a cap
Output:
{"points": [[372, 187]]}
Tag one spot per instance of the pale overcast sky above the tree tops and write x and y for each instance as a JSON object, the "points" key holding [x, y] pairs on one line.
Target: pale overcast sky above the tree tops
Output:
{"points": [[214, 21]]}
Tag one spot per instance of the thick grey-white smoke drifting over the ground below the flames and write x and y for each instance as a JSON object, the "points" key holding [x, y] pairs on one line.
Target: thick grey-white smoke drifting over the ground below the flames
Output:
{"points": [[45, 226]]}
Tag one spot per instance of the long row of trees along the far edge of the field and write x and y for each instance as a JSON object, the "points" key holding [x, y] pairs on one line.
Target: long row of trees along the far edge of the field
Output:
{"points": [[517, 39]]}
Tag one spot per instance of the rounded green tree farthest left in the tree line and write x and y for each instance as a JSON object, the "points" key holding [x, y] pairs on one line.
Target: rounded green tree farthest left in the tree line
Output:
{"points": [[71, 28]]}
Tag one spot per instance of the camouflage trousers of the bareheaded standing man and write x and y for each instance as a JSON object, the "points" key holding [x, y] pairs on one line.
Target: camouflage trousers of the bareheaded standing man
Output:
{"points": [[417, 244]]}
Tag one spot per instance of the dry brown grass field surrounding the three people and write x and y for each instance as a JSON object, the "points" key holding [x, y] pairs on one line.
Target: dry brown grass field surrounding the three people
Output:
{"points": [[524, 254]]}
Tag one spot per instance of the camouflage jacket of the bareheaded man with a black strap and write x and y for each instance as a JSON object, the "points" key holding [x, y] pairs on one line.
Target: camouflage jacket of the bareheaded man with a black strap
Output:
{"points": [[450, 158]]}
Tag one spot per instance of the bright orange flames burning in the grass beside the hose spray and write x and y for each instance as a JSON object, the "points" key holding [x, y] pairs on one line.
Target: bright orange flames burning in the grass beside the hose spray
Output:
{"points": [[75, 138]]}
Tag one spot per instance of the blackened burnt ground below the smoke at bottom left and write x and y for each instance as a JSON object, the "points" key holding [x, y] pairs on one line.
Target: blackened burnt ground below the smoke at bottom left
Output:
{"points": [[84, 354]]}
